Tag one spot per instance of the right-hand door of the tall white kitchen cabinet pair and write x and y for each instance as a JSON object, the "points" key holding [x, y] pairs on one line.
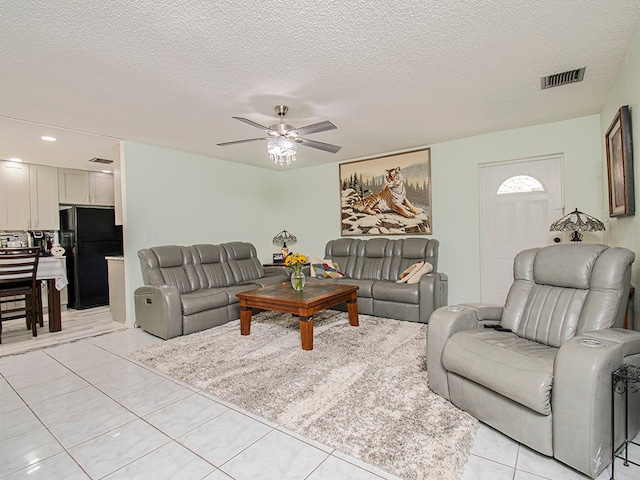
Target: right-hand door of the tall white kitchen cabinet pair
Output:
{"points": [[43, 192]]}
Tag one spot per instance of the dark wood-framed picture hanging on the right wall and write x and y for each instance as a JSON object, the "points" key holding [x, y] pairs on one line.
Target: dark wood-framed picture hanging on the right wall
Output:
{"points": [[619, 147]]}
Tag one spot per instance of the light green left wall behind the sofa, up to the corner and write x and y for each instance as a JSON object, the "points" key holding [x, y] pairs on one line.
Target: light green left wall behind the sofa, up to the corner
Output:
{"points": [[187, 199]]}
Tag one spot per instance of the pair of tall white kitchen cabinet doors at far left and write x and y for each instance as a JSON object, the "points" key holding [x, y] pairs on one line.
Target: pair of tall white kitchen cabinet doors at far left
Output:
{"points": [[29, 197]]}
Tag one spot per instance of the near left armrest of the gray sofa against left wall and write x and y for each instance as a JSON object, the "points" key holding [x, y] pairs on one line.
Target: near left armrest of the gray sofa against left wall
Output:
{"points": [[159, 310]]}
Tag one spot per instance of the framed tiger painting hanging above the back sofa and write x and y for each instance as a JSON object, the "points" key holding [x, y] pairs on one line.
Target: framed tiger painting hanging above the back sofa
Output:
{"points": [[387, 195]]}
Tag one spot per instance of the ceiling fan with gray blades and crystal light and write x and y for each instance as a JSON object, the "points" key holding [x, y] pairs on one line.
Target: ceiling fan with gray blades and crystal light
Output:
{"points": [[283, 139]]}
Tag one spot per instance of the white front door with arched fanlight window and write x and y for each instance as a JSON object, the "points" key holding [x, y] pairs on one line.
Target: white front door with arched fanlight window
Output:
{"points": [[519, 201]]}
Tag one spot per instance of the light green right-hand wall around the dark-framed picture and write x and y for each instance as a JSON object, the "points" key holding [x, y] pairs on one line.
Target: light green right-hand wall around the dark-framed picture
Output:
{"points": [[625, 231]]}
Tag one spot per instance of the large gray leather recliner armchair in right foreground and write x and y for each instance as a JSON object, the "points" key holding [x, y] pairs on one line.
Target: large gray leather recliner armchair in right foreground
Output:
{"points": [[543, 377]]}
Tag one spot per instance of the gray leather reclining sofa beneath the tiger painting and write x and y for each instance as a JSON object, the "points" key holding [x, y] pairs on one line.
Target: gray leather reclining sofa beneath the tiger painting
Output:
{"points": [[374, 265]]}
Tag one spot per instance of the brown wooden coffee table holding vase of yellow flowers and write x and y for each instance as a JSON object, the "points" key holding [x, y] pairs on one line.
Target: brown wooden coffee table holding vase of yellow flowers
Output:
{"points": [[283, 298]]}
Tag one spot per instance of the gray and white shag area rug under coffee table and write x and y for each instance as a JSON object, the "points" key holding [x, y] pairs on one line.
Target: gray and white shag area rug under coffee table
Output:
{"points": [[362, 390]]}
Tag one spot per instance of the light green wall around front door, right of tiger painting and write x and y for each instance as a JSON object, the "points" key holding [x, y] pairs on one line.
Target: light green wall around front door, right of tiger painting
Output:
{"points": [[456, 187]]}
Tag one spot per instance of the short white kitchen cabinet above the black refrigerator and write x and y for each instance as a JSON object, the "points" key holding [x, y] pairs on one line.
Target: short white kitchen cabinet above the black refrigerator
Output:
{"points": [[83, 187]]}
